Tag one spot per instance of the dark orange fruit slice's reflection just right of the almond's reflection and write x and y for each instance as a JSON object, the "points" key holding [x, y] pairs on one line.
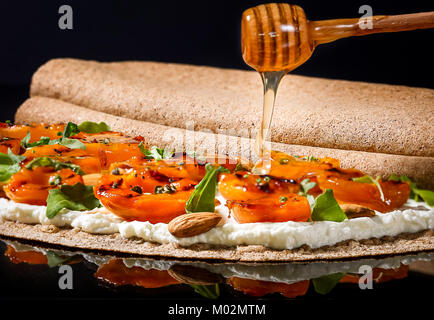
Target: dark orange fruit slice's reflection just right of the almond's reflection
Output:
{"points": [[260, 288]]}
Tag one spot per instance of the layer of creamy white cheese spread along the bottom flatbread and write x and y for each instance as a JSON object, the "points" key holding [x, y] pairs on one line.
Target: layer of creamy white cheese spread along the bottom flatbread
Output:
{"points": [[413, 217]]}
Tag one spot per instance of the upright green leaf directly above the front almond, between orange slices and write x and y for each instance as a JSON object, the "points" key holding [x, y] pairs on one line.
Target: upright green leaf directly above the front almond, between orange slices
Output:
{"points": [[203, 197]]}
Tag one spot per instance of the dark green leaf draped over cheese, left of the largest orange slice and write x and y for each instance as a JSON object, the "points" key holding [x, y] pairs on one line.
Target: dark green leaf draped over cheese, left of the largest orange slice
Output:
{"points": [[77, 197]]}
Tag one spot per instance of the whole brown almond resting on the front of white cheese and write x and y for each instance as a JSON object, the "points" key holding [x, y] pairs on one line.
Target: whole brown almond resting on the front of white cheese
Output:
{"points": [[192, 224]]}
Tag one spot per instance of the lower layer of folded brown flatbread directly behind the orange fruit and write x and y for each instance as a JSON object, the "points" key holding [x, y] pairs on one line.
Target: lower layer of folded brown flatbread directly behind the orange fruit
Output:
{"points": [[39, 109]]}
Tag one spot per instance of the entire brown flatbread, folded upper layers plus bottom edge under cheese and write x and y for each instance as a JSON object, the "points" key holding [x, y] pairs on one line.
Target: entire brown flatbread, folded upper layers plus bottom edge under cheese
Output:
{"points": [[389, 126]]}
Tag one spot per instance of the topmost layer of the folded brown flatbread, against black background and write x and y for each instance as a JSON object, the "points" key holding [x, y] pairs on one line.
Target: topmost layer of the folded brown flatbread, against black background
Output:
{"points": [[309, 111]]}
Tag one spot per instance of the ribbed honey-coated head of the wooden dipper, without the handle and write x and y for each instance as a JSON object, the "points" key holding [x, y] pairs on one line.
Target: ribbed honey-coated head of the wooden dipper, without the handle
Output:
{"points": [[275, 37]]}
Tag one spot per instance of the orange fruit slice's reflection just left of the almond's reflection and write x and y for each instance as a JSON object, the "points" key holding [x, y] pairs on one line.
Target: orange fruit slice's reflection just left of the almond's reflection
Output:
{"points": [[117, 273]]}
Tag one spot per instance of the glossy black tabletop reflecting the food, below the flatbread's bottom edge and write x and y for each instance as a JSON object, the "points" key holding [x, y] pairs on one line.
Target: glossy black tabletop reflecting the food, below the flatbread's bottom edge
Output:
{"points": [[105, 277]]}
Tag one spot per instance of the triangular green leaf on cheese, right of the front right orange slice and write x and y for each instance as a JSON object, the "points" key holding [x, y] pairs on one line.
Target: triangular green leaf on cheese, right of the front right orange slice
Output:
{"points": [[326, 208]]}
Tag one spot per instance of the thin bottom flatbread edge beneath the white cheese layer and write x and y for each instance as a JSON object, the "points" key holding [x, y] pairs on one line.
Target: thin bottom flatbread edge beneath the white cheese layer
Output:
{"points": [[351, 249]]}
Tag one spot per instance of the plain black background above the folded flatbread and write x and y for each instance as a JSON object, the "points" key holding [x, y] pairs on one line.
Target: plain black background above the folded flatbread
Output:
{"points": [[196, 32]]}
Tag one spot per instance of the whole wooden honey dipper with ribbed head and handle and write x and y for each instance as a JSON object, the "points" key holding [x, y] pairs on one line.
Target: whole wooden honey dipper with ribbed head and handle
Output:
{"points": [[278, 37]]}
